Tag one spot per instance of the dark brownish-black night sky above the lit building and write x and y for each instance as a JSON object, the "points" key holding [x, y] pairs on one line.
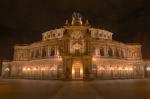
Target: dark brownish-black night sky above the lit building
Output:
{"points": [[23, 21]]}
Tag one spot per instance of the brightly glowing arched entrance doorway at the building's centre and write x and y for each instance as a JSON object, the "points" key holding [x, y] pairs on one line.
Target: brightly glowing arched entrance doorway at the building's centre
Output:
{"points": [[77, 70]]}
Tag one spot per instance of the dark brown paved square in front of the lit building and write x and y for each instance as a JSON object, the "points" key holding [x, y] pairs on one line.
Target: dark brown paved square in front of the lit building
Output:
{"points": [[53, 89]]}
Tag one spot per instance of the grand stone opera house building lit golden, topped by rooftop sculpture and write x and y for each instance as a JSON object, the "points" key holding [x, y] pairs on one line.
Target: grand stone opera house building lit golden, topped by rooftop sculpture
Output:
{"points": [[76, 51]]}
